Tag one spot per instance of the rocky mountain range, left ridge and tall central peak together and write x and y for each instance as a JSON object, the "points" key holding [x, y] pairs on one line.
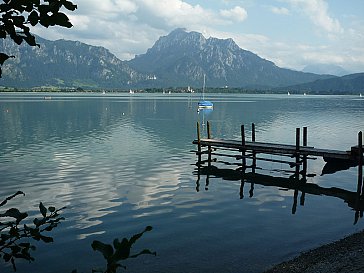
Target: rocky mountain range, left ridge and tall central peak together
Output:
{"points": [[179, 59]]}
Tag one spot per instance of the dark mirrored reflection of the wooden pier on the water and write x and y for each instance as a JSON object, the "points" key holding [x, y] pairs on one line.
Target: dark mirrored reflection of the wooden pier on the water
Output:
{"points": [[355, 200]]}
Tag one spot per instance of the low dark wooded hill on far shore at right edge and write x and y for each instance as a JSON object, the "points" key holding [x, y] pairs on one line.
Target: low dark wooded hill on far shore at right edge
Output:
{"points": [[349, 84]]}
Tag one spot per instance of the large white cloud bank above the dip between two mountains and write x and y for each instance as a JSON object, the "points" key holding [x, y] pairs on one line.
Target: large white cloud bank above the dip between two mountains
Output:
{"points": [[129, 27]]}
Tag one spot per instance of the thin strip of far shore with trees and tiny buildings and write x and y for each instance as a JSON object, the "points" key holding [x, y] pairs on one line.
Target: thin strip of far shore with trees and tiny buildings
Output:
{"points": [[173, 90]]}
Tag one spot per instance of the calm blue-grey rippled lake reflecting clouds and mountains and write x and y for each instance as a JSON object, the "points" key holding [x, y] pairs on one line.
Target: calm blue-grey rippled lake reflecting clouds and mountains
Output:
{"points": [[120, 162]]}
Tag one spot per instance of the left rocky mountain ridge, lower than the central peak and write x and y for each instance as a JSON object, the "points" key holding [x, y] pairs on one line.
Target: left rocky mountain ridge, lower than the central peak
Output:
{"points": [[64, 63]]}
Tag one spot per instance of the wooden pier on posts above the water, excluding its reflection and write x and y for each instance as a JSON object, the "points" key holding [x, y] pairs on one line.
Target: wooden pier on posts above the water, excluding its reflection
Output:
{"points": [[251, 149]]}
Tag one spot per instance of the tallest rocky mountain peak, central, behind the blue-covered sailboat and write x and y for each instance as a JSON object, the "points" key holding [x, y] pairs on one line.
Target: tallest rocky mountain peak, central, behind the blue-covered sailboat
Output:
{"points": [[181, 58]]}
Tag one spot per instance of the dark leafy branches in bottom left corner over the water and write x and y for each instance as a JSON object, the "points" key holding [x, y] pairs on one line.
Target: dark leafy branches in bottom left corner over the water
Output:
{"points": [[15, 236]]}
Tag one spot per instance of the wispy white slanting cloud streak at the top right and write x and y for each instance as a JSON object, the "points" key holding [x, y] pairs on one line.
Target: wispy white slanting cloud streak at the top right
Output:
{"points": [[317, 11]]}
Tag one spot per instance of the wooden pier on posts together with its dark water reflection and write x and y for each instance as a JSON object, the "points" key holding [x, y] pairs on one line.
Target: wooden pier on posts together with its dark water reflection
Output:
{"points": [[295, 156]]}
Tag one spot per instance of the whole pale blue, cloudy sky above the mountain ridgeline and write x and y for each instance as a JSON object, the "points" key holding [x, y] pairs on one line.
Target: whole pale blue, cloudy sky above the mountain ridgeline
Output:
{"points": [[291, 33]]}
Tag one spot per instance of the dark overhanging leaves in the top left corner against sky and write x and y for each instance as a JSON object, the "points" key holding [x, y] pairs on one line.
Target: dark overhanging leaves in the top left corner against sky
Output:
{"points": [[17, 15]]}
